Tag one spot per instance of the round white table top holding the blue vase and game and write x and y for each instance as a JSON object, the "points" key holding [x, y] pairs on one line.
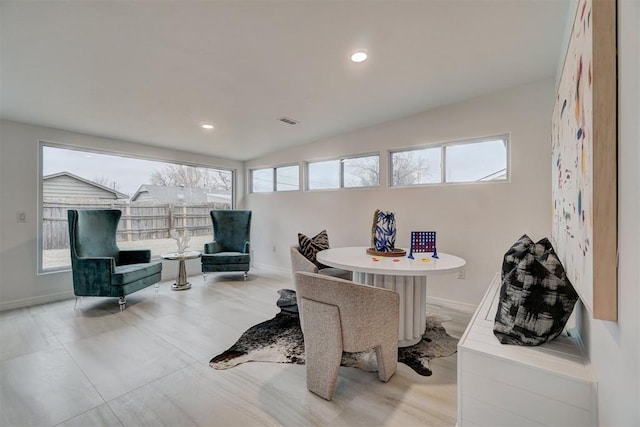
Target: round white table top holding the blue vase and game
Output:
{"points": [[357, 259]]}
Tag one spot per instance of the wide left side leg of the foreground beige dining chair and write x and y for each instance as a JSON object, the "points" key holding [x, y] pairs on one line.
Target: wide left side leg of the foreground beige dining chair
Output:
{"points": [[323, 347]]}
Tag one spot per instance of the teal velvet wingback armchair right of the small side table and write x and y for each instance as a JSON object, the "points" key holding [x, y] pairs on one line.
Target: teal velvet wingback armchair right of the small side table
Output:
{"points": [[229, 250]]}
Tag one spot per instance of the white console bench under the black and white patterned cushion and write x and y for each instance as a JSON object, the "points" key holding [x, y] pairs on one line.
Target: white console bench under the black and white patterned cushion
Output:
{"points": [[509, 385]]}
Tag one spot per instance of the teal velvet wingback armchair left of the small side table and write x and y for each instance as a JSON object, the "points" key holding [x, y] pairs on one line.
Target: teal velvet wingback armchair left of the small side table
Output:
{"points": [[99, 267]]}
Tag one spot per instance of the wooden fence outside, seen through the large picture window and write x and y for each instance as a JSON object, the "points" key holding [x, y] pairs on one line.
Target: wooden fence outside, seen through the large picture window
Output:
{"points": [[139, 221]]}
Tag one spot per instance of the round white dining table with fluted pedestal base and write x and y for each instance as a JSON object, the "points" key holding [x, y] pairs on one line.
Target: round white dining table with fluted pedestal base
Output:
{"points": [[408, 277]]}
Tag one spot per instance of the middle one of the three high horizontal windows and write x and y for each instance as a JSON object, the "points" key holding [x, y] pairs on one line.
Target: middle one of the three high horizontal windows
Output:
{"points": [[348, 172]]}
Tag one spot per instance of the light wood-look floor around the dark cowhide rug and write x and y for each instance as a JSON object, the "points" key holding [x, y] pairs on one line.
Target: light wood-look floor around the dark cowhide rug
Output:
{"points": [[148, 366]]}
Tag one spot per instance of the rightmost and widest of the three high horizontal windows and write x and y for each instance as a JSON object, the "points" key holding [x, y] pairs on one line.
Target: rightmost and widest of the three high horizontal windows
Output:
{"points": [[475, 160]]}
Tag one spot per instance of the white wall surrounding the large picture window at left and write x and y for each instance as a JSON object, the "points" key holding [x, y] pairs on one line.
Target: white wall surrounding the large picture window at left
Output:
{"points": [[20, 285]]}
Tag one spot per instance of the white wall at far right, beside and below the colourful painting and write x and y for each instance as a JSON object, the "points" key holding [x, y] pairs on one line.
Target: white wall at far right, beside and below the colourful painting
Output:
{"points": [[614, 347]]}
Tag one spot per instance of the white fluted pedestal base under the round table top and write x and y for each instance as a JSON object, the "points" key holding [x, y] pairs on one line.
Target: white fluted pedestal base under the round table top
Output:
{"points": [[413, 302]]}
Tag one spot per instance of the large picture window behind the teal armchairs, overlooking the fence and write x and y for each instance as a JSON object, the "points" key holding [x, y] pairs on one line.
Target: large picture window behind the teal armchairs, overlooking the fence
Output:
{"points": [[155, 197]]}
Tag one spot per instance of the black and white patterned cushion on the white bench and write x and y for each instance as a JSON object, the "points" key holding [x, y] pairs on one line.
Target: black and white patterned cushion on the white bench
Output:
{"points": [[536, 297]]}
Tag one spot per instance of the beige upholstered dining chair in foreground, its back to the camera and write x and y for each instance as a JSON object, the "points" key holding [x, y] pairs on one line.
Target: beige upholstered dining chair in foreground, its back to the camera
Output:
{"points": [[338, 315]]}
